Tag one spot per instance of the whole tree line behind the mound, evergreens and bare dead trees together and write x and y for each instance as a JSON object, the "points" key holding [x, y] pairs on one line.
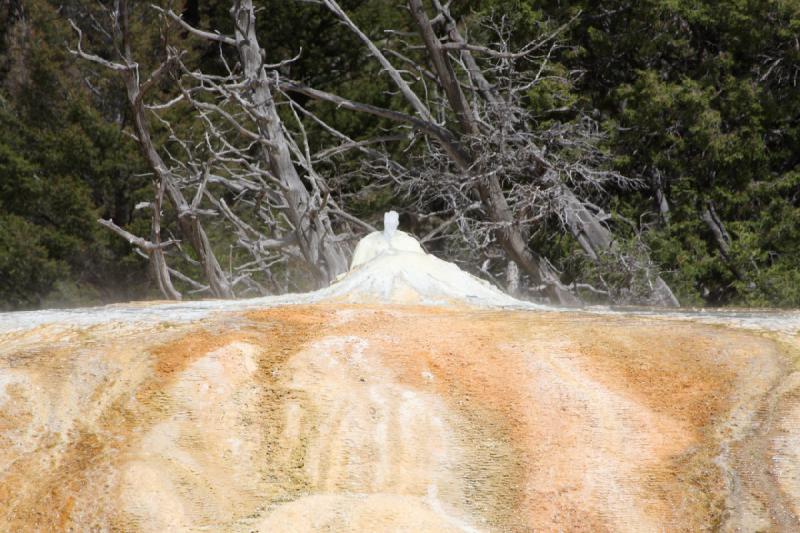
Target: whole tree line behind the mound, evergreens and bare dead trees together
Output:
{"points": [[622, 152]]}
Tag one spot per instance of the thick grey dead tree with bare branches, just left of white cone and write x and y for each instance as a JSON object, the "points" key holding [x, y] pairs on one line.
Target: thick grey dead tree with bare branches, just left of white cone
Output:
{"points": [[241, 119]]}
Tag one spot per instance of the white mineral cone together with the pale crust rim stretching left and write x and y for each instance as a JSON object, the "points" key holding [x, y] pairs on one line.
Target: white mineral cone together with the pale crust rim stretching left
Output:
{"points": [[387, 267]]}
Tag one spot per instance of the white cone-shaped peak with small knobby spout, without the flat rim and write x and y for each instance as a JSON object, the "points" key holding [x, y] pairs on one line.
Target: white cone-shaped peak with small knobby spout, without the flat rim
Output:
{"points": [[392, 267]]}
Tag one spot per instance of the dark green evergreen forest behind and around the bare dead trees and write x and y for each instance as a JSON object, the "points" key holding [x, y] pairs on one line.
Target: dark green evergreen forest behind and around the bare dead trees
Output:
{"points": [[695, 101]]}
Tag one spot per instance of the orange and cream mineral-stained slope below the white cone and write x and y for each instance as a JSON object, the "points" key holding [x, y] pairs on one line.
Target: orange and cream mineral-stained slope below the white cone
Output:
{"points": [[370, 417]]}
